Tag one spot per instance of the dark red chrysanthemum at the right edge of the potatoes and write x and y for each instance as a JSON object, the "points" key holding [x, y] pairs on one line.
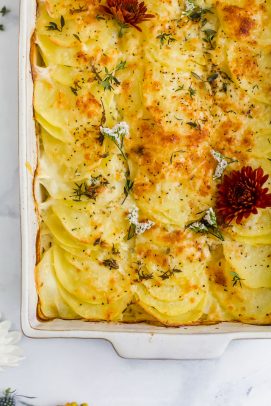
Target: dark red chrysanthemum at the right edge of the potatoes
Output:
{"points": [[241, 193]]}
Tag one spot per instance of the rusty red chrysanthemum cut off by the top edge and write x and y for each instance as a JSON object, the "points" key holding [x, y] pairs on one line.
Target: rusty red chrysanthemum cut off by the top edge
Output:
{"points": [[128, 12]]}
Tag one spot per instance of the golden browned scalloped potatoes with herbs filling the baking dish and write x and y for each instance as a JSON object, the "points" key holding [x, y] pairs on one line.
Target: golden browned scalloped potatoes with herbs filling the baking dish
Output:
{"points": [[134, 127]]}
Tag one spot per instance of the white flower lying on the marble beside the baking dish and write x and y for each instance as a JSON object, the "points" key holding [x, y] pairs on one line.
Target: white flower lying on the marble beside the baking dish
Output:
{"points": [[10, 354]]}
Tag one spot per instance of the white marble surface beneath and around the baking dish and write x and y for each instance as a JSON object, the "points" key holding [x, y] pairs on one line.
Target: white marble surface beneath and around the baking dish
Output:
{"points": [[89, 370]]}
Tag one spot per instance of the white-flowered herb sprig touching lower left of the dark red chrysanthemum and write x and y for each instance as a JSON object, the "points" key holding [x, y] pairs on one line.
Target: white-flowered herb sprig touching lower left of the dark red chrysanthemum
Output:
{"points": [[207, 224]]}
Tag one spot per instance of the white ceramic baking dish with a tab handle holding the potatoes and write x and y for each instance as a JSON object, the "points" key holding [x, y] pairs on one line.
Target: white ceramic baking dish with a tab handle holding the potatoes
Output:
{"points": [[133, 341]]}
